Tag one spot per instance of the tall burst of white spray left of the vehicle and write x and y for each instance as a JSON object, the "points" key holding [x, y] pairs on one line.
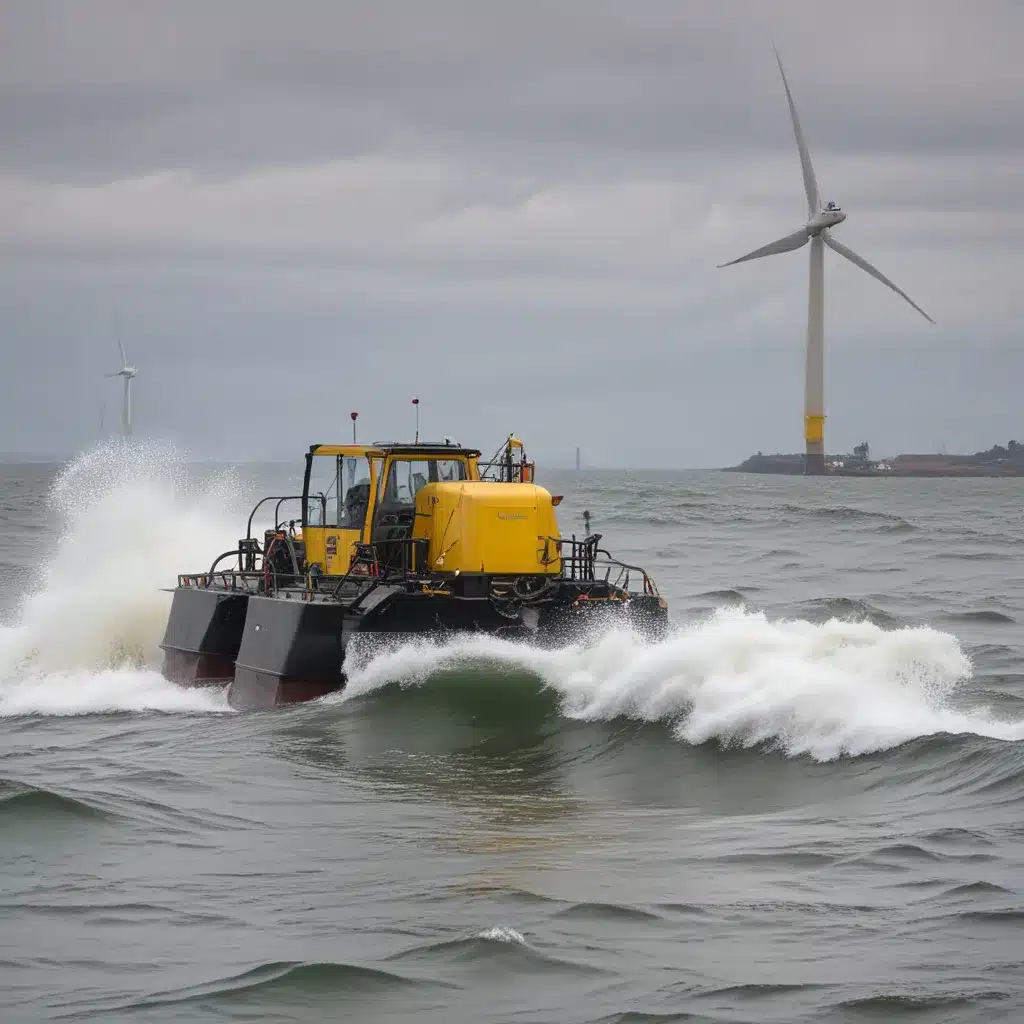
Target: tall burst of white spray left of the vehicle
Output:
{"points": [[132, 518]]}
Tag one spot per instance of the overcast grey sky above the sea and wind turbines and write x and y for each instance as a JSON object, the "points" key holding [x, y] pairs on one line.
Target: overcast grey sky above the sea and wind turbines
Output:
{"points": [[515, 211]]}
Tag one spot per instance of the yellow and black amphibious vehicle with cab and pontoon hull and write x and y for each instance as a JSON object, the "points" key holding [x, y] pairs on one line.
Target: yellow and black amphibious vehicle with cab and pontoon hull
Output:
{"points": [[395, 539]]}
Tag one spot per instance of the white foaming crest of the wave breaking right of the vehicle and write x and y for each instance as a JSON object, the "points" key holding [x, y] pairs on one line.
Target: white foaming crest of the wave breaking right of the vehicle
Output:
{"points": [[825, 691]]}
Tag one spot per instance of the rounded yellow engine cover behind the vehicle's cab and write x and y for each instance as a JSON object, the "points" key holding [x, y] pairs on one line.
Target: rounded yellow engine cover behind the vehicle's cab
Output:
{"points": [[489, 528]]}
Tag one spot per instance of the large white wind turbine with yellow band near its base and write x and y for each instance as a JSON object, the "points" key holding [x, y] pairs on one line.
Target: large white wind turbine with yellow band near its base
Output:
{"points": [[821, 220]]}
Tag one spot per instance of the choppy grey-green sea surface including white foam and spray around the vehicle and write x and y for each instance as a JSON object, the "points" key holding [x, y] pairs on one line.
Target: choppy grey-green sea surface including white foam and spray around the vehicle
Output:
{"points": [[807, 804]]}
